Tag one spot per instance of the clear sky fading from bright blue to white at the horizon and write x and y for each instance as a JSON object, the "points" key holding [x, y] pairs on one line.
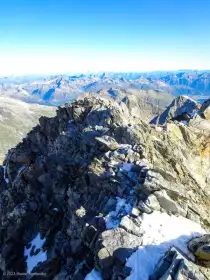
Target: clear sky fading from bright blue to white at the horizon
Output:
{"points": [[52, 36]]}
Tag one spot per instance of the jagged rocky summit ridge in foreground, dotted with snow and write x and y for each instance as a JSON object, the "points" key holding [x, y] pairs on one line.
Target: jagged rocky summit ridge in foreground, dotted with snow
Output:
{"points": [[97, 193]]}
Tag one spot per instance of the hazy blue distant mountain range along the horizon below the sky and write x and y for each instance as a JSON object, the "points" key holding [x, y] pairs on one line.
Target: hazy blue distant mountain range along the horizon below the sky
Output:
{"points": [[157, 87]]}
